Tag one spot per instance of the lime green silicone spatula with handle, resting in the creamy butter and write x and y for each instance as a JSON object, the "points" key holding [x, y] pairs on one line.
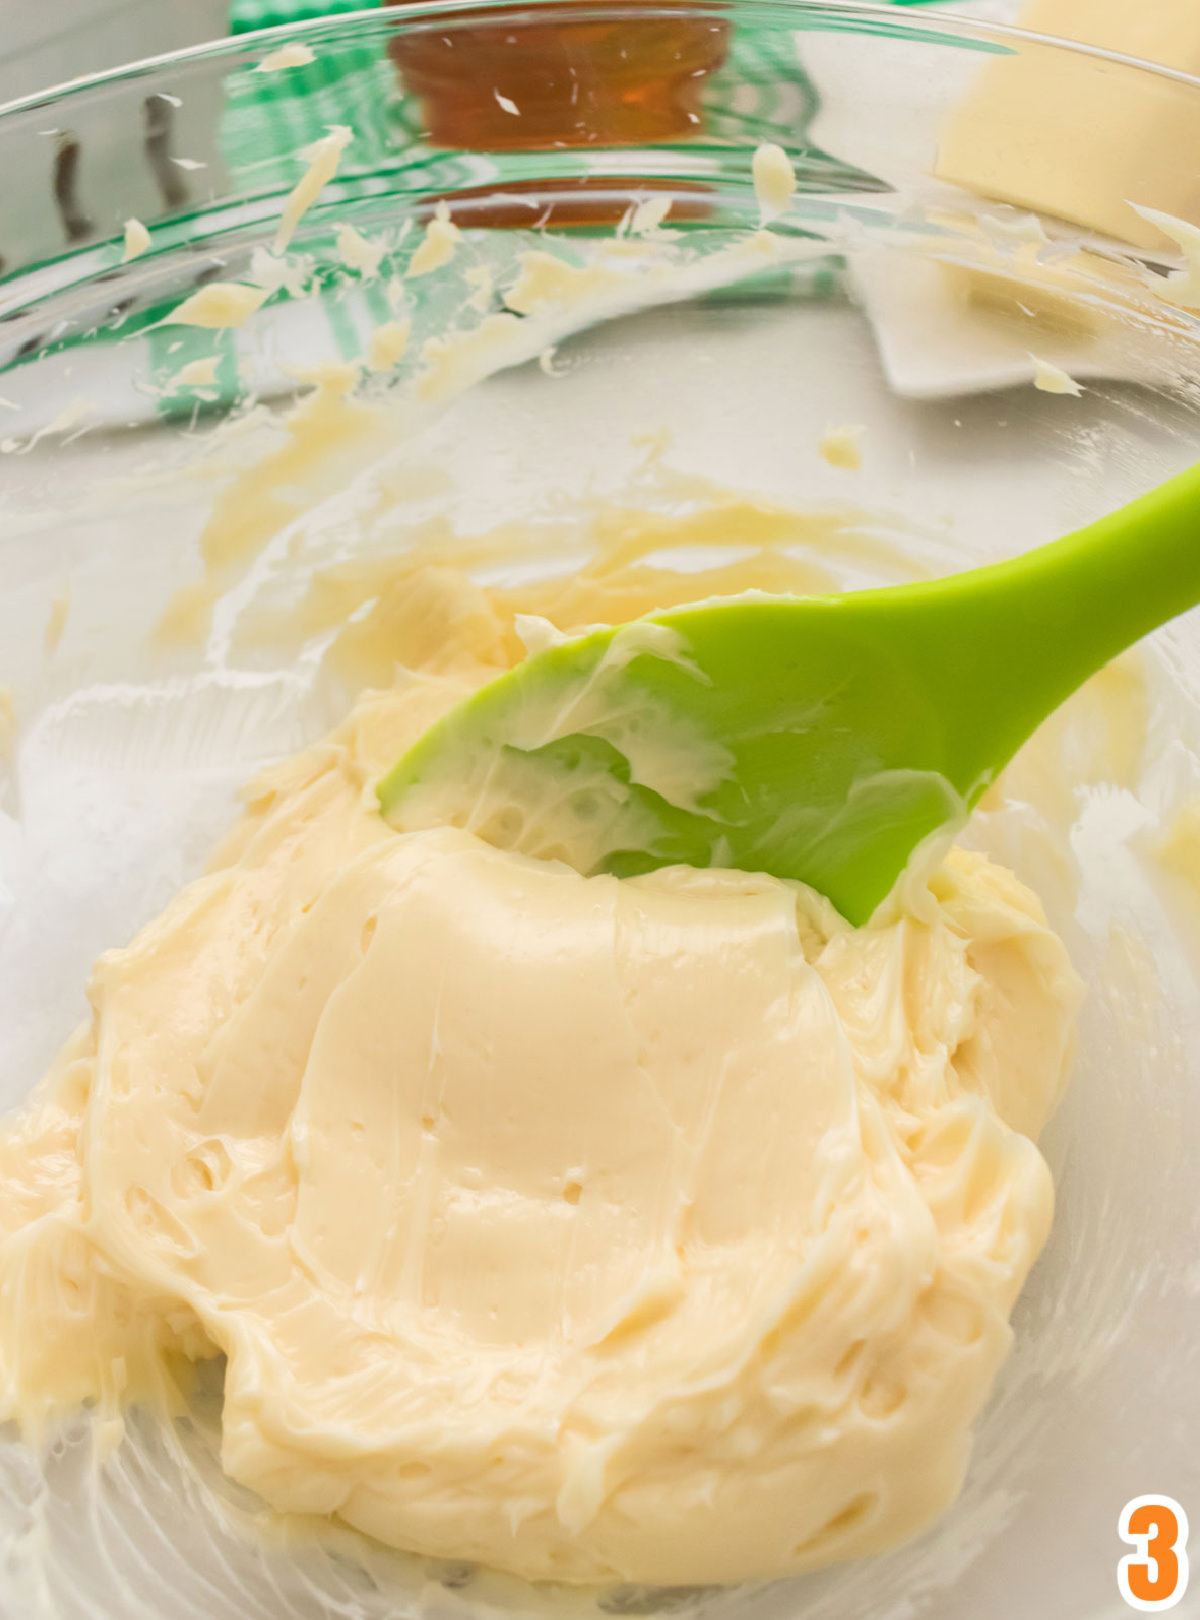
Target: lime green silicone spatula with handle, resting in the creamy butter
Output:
{"points": [[819, 738]]}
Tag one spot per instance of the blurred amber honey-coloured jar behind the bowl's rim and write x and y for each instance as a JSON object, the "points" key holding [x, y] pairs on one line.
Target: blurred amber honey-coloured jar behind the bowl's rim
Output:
{"points": [[508, 85]]}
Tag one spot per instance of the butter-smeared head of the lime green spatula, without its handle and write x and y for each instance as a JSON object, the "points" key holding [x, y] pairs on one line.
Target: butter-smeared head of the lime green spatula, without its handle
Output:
{"points": [[781, 736]]}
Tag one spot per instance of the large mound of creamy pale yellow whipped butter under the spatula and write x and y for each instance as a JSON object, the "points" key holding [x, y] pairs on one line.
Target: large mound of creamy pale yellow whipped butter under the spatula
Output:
{"points": [[660, 1230]]}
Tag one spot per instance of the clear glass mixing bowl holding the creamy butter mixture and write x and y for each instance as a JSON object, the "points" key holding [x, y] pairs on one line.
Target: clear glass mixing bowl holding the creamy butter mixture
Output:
{"points": [[709, 364]]}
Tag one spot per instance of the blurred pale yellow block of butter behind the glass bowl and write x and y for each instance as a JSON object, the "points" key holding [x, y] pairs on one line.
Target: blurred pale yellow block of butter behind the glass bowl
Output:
{"points": [[1084, 137]]}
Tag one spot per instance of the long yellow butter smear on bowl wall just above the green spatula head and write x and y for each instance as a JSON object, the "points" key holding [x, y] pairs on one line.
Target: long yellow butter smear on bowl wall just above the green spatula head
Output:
{"points": [[388, 612]]}
